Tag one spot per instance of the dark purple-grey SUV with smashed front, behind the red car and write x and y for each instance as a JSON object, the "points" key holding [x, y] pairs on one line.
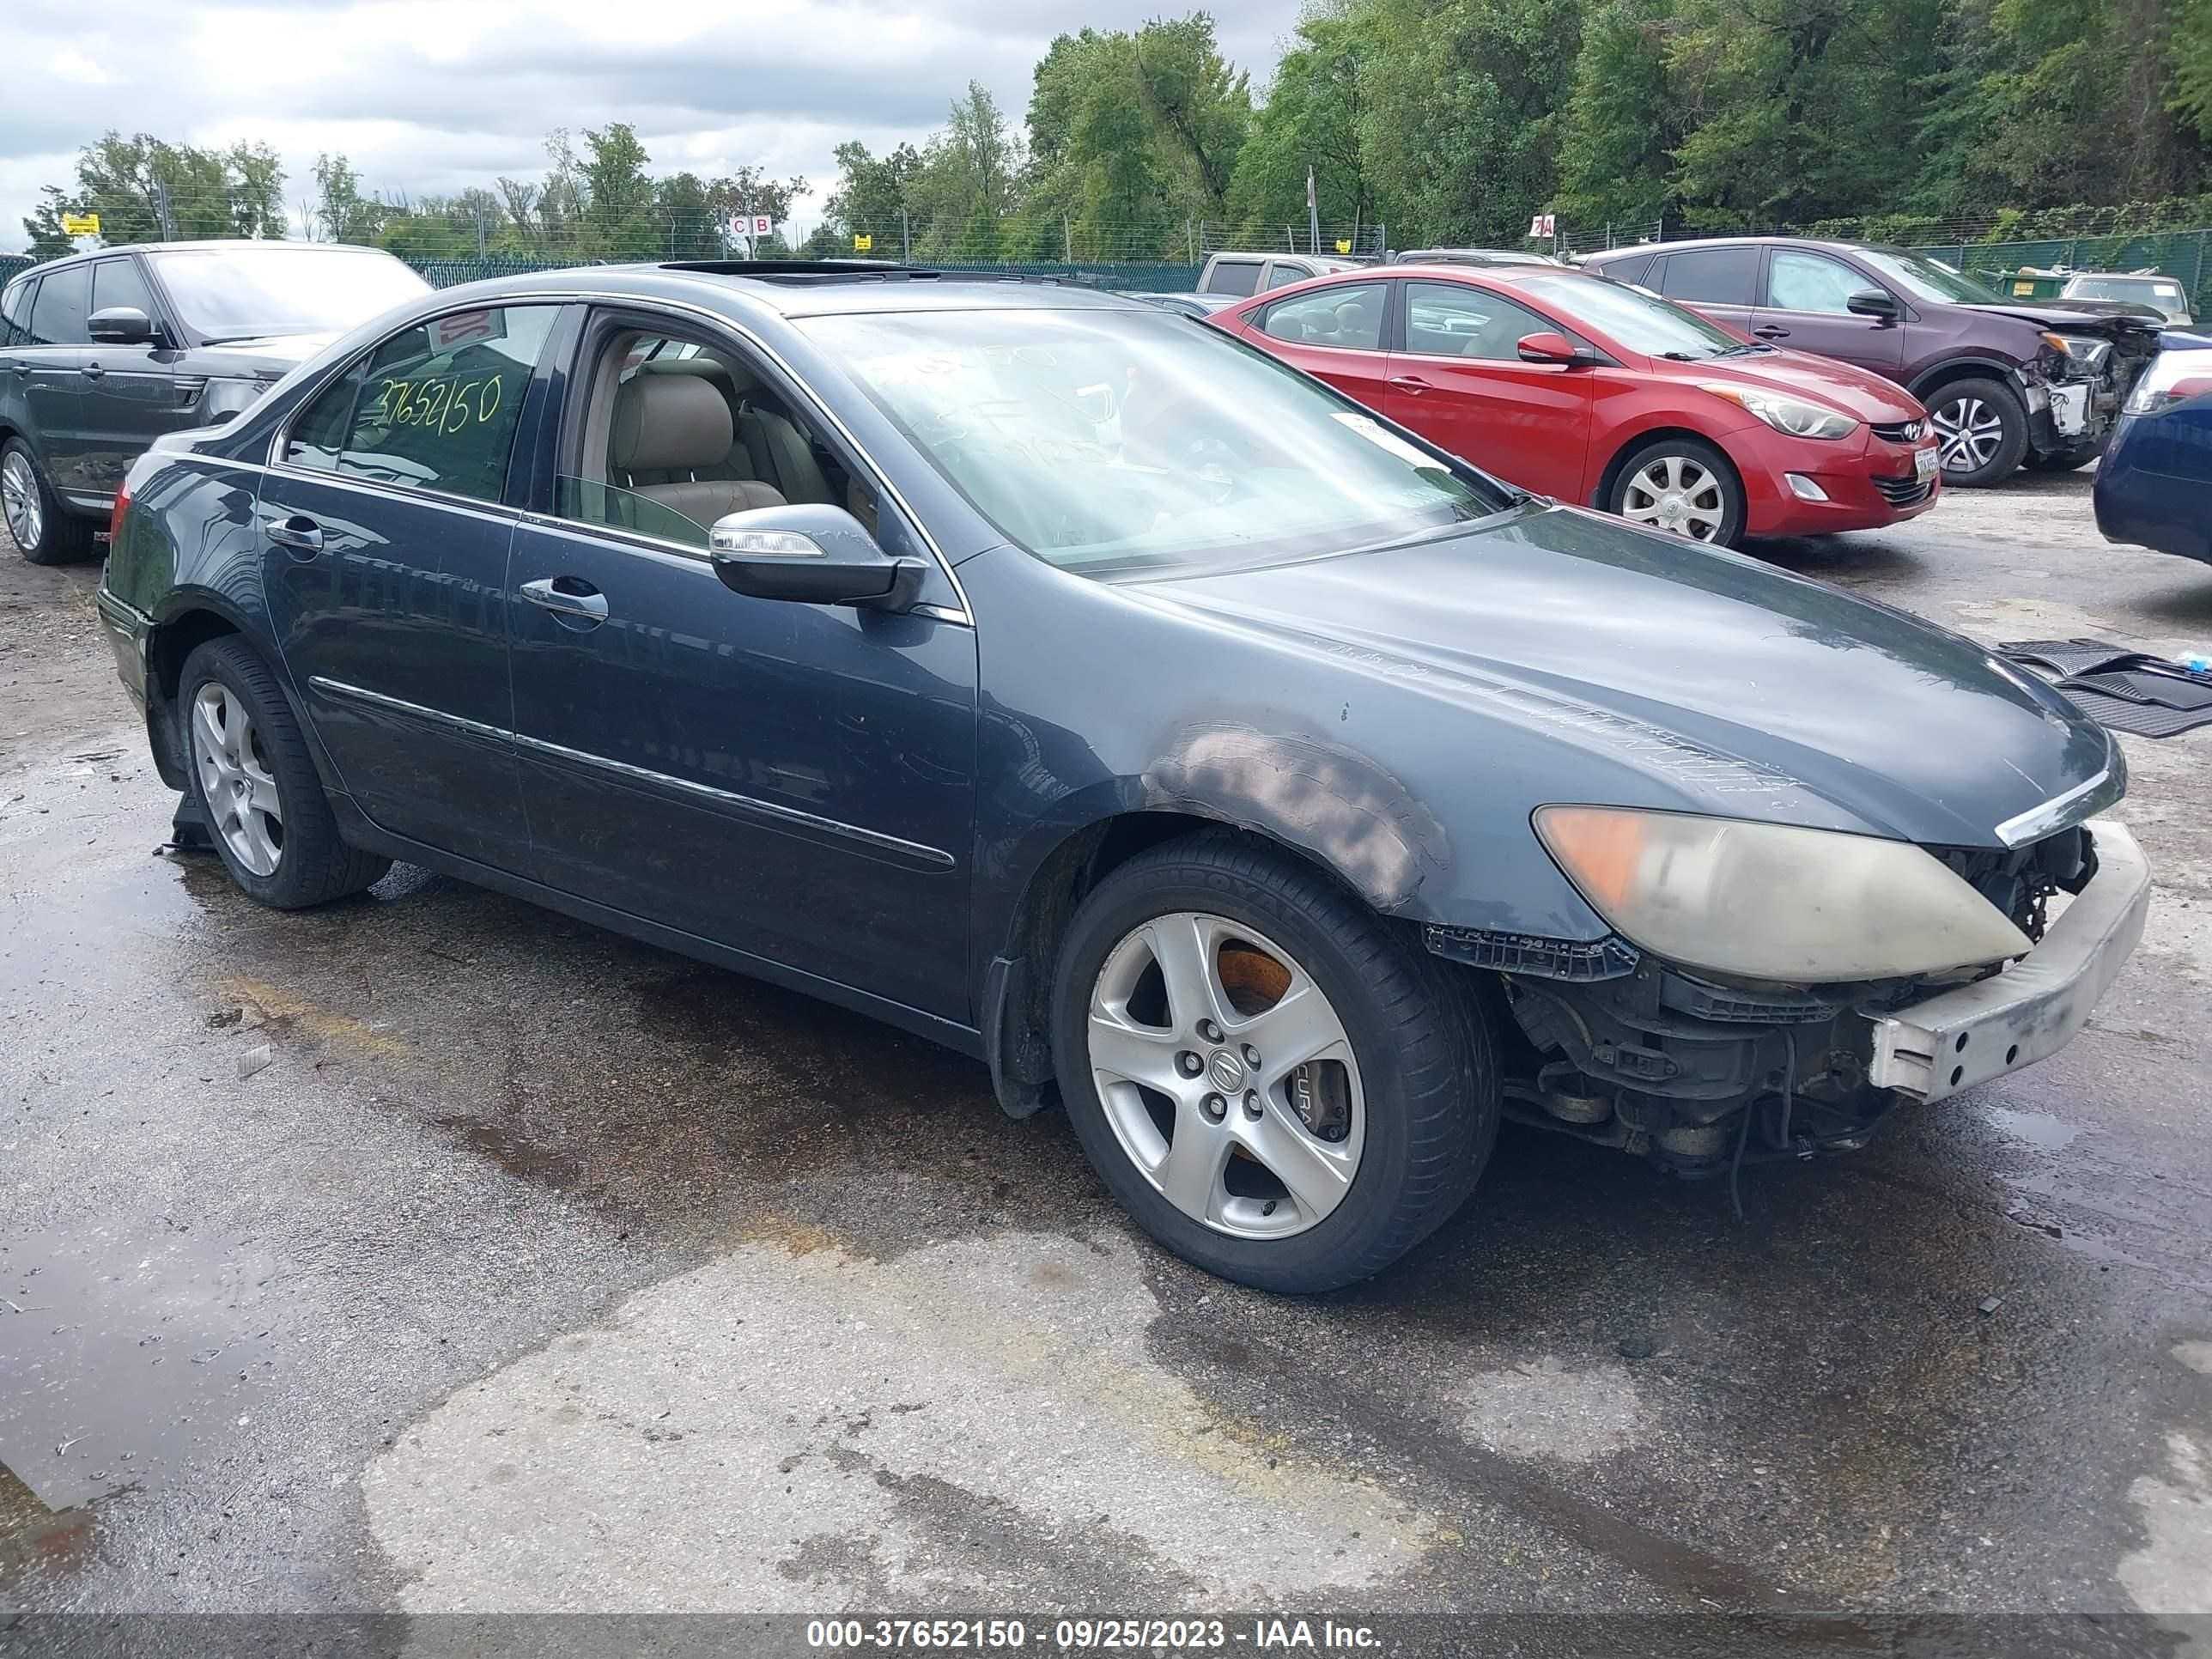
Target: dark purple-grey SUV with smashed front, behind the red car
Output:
{"points": [[2007, 384]]}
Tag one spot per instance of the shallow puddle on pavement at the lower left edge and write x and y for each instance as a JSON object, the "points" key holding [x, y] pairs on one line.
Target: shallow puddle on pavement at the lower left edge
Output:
{"points": [[125, 1350]]}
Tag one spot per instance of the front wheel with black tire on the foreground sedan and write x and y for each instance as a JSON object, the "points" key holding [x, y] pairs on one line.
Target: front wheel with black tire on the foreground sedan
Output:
{"points": [[1419, 1096]]}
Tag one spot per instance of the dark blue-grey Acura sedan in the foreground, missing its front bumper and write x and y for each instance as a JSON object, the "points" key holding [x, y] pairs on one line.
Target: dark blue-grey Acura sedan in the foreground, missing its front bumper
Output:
{"points": [[1083, 689]]}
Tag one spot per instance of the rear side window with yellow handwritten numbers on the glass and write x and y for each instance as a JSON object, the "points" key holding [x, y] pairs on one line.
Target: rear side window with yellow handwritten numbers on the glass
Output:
{"points": [[432, 408]]}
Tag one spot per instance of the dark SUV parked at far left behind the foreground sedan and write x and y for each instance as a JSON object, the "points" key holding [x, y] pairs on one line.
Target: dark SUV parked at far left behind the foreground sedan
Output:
{"points": [[105, 353]]}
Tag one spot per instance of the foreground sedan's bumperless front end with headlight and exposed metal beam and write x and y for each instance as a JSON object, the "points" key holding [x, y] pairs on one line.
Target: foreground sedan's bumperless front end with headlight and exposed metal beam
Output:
{"points": [[1702, 1070]]}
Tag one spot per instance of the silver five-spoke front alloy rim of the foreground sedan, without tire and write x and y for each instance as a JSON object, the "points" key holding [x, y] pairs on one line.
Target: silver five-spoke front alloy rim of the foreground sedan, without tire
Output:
{"points": [[1227, 1076]]}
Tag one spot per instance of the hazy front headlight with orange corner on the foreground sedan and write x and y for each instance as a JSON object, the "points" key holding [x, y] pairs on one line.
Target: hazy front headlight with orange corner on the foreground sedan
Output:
{"points": [[1773, 901]]}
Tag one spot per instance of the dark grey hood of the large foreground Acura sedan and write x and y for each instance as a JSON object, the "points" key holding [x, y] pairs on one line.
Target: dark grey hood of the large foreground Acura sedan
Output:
{"points": [[1718, 682]]}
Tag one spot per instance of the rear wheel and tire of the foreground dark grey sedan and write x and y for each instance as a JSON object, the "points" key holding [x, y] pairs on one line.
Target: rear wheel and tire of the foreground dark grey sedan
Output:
{"points": [[306, 862]]}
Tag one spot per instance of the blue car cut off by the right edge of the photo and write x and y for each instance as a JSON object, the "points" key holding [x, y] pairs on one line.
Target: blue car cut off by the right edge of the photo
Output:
{"points": [[2156, 479]]}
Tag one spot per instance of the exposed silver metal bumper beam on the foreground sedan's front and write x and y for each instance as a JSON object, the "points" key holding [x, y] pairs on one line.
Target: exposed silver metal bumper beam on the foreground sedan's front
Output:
{"points": [[1961, 1039]]}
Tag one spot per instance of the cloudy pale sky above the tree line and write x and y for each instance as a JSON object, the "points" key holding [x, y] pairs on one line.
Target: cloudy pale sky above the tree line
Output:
{"points": [[430, 96]]}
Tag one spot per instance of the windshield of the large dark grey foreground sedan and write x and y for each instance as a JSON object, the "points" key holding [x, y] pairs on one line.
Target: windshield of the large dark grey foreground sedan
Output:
{"points": [[1123, 441]]}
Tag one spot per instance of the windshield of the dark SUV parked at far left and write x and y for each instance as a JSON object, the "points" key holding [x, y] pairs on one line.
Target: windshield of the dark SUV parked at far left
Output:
{"points": [[258, 291]]}
